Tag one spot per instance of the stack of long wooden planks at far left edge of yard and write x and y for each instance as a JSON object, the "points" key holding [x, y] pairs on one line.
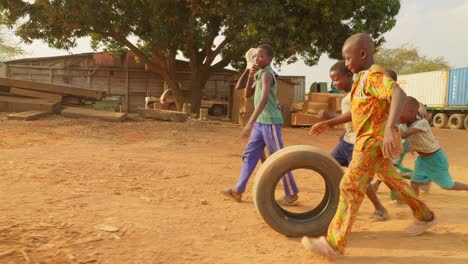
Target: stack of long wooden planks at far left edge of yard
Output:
{"points": [[29, 100]]}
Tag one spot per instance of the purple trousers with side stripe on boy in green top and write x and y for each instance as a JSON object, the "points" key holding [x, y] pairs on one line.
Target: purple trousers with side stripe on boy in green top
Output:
{"points": [[263, 135]]}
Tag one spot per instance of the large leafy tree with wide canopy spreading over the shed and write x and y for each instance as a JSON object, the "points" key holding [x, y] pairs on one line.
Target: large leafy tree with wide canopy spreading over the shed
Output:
{"points": [[211, 34]]}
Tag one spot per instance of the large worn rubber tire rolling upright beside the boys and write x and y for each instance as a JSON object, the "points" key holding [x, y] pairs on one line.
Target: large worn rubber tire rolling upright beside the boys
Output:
{"points": [[314, 222]]}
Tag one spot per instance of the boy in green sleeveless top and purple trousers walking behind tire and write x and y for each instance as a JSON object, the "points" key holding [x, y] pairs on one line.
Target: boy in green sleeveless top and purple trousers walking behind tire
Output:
{"points": [[263, 127]]}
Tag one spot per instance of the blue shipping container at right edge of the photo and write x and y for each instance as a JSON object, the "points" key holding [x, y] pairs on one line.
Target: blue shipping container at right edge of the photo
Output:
{"points": [[458, 87]]}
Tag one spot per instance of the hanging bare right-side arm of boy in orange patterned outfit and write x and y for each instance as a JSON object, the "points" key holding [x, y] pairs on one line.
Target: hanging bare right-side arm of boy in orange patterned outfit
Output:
{"points": [[391, 147]]}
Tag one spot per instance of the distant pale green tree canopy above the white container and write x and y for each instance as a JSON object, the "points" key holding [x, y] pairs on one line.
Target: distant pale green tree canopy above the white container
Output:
{"points": [[407, 59]]}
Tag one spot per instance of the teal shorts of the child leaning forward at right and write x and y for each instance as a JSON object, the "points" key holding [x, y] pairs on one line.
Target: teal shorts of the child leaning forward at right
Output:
{"points": [[433, 168]]}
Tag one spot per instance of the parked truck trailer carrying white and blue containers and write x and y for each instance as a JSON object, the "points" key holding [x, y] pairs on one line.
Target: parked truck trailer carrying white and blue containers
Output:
{"points": [[445, 94]]}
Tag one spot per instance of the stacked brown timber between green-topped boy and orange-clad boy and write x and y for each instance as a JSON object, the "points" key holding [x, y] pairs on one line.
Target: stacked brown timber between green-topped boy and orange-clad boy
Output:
{"points": [[306, 113]]}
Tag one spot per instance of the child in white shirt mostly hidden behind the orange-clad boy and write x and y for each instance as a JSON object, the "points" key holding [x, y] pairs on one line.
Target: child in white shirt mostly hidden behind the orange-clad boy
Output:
{"points": [[343, 80]]}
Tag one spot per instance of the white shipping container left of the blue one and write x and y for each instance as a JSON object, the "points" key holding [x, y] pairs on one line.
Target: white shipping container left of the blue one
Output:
{"points": [[430, 88]]}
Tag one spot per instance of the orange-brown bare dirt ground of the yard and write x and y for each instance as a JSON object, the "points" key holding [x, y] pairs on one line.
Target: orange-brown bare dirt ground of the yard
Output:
{"points": [[156, 186]]}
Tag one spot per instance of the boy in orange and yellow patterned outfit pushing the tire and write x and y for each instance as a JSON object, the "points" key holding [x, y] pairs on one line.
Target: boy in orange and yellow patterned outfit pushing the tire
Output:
{"points": [[376, 103]]}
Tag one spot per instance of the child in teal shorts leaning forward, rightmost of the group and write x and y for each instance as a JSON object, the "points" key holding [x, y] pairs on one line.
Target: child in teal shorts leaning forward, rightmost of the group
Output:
{"points": [[432, 164]]}
